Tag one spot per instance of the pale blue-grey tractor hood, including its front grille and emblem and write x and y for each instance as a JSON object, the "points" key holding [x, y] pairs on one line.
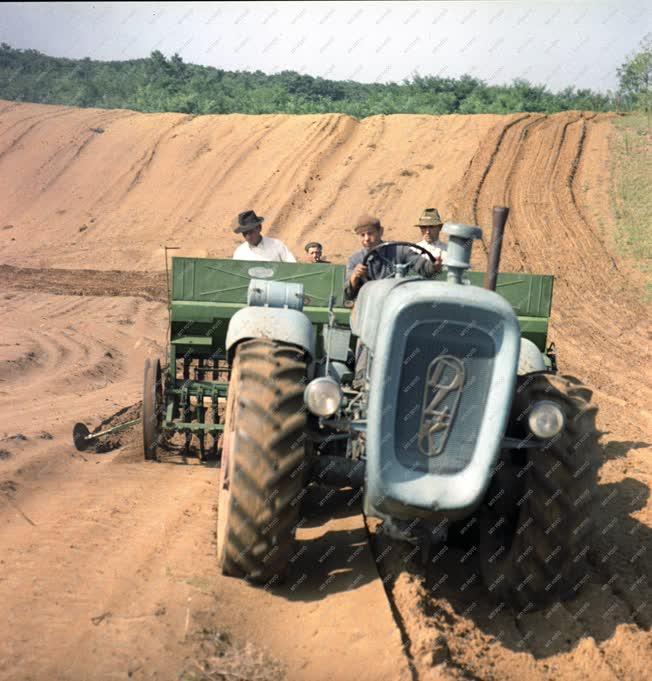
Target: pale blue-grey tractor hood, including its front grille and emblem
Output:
{"points": [[443, 372]]}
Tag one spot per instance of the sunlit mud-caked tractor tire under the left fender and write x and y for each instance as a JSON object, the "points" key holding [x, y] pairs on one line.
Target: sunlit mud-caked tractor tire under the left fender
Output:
{"points": [[263, 453]]}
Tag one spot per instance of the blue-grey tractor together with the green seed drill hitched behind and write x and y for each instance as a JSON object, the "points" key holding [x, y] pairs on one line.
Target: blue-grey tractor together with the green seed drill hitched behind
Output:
{"points": [[439, 399]]}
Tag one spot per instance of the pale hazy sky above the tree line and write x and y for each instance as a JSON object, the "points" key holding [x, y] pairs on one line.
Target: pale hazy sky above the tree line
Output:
{"points": [[556, 44]]}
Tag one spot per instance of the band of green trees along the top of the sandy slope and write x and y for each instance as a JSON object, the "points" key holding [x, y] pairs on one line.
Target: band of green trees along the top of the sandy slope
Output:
{"points": [[159, 84]]}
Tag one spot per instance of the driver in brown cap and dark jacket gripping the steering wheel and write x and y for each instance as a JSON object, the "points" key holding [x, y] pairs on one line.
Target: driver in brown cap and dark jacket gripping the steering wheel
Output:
{"points": [[370, 231]]}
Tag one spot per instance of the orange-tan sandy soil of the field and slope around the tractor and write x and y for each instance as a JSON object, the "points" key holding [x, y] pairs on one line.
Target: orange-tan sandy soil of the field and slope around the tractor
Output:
{"points": [[108, 561]]}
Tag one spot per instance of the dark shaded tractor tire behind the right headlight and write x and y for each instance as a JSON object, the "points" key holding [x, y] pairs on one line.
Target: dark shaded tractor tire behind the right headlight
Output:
{"points": [[536, 524]]}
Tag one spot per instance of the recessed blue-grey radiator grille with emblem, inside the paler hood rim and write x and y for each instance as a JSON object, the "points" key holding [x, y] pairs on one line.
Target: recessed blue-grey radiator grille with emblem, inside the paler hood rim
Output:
{"points": [[443, 389]]}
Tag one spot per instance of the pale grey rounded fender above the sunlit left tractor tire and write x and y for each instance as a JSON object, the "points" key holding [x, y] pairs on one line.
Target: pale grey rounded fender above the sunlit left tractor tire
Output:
{"points": [[280, 324]]}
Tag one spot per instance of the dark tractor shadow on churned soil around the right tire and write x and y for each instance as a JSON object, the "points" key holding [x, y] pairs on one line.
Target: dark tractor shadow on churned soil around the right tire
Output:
{"points": [[614, 591]]}
